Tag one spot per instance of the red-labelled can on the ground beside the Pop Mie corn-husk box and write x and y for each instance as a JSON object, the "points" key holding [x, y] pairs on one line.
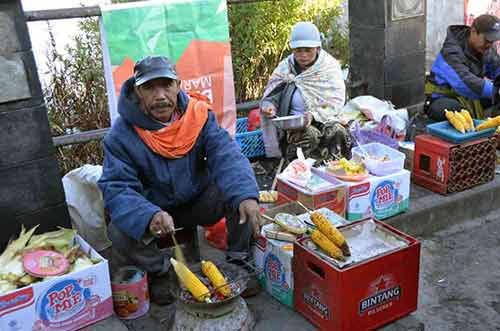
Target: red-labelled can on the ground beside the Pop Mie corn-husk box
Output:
{"points": [[130, 292]]}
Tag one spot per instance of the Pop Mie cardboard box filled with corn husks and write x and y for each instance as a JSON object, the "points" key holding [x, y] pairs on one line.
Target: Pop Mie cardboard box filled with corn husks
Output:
{"points": [[68, 302]]}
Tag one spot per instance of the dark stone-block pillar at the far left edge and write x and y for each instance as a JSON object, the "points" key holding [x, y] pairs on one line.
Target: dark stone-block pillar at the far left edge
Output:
{"points": [[31, 190]]}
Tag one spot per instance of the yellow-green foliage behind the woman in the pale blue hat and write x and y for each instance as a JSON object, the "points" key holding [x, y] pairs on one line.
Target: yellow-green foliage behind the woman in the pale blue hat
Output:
{"points": [[260, 38]]}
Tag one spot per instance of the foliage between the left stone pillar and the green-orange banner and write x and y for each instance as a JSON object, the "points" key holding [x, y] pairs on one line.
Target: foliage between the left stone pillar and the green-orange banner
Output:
{"points": [[75, 95]]}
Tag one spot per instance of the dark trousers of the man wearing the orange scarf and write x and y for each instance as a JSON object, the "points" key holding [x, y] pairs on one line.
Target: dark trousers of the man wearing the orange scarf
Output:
{"points": [[206, 209]]}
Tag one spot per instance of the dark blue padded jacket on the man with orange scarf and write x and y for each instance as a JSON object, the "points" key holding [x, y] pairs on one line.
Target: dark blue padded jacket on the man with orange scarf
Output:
{"points": [[136, 182]]}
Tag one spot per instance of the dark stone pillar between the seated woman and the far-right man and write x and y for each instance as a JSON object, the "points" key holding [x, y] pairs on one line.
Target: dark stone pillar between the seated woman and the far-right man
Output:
{"points": [[387, 41]]}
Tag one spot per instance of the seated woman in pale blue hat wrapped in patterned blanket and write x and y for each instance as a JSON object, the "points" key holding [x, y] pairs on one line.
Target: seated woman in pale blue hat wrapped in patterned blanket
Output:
{"points": [[308, 82]]}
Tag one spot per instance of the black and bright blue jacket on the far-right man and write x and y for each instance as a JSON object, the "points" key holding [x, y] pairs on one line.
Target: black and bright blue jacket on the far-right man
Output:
{"points": [[457, 67]]}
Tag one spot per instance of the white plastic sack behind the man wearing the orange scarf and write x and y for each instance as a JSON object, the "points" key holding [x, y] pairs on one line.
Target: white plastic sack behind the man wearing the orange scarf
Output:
{"points": [[86, 205]]}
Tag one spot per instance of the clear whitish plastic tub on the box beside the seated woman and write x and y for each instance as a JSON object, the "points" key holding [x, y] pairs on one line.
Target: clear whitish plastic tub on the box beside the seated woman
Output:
{"points": [[375, 162]]}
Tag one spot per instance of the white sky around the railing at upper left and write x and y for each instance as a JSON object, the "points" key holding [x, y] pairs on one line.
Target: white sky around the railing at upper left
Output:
{"points": [[63, 30]]}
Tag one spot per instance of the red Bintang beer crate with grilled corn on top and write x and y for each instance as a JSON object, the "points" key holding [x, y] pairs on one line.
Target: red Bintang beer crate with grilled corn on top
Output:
{"points": [[364, 296]]}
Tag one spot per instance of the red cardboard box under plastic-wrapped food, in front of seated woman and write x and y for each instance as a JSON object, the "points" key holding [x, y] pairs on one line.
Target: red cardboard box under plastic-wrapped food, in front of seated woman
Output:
{"points": [[332, 197]]}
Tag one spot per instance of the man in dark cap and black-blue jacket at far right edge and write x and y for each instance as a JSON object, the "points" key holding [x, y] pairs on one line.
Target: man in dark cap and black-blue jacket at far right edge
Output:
{"points": [[463, 73]]}
